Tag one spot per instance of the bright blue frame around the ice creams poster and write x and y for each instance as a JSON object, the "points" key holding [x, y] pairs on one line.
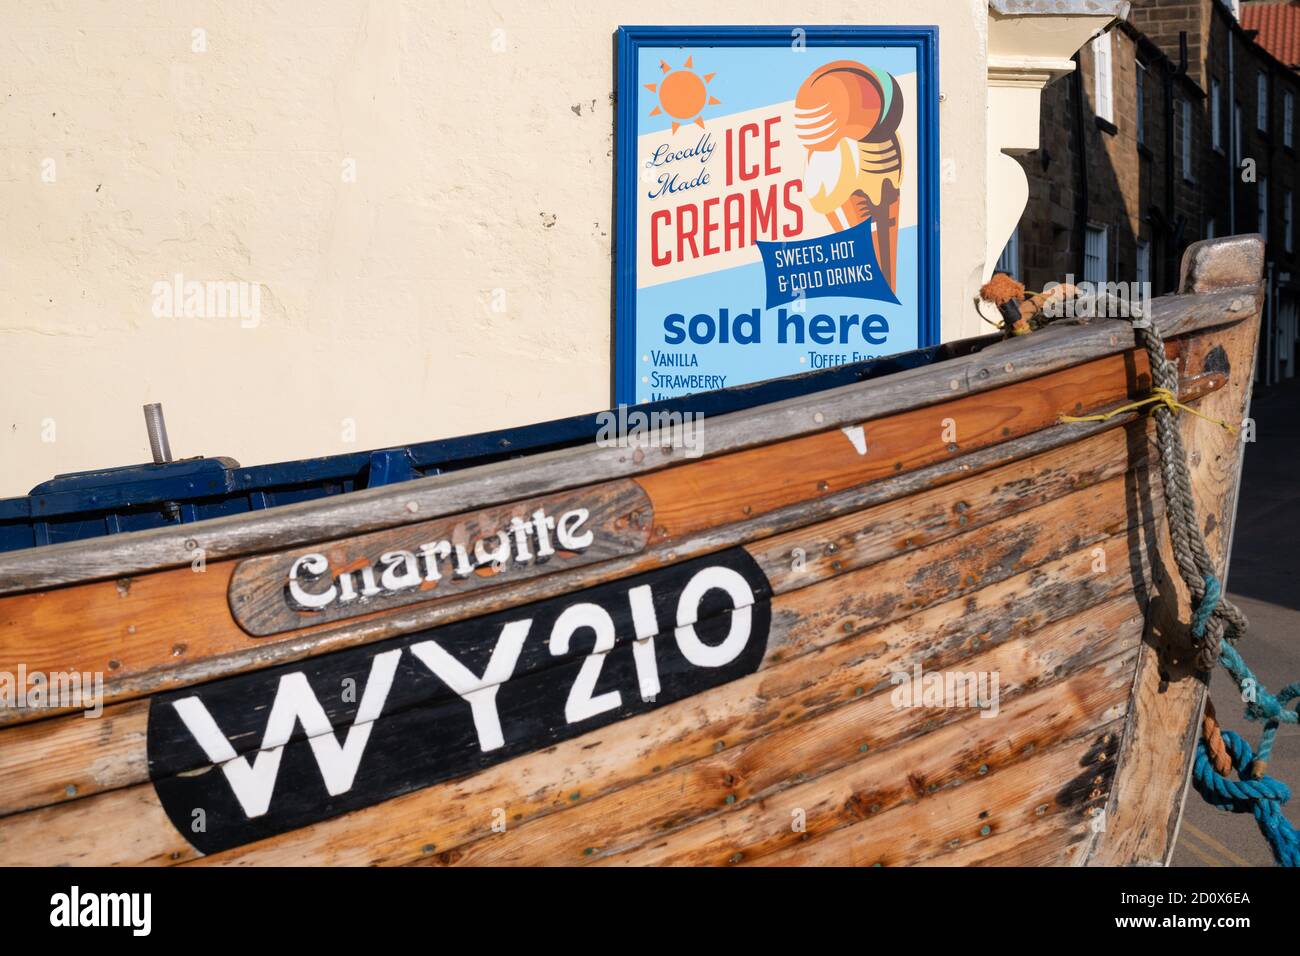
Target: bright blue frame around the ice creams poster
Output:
{"points": [[925, 40]]}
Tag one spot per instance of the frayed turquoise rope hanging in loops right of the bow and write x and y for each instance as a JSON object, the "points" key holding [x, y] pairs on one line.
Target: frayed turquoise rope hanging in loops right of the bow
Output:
{"points": [[1254, 793]]}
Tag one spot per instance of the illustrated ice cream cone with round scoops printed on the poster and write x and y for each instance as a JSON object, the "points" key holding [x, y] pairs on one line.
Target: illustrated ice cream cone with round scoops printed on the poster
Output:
{"points": [[848, 118]]}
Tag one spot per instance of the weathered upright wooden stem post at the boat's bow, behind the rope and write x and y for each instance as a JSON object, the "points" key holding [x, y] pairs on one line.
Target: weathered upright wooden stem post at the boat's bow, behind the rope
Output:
{"points": [[1169, 694]]}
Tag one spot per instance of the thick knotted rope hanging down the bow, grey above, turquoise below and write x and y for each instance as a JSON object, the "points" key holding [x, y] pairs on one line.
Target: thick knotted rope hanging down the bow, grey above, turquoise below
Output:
{"points": [[1217, 624]]}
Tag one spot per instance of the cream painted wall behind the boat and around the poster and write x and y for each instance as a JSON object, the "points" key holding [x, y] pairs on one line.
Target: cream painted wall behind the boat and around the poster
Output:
{"points": [[482, 135]]}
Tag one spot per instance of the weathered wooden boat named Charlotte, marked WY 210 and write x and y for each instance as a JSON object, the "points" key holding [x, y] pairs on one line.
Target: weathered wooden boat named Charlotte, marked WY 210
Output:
{"points": [[604, 652]]}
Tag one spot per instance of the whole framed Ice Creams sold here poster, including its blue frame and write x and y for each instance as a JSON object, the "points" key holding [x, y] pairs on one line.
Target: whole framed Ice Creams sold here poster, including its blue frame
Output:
{"points": [[777, 204]]}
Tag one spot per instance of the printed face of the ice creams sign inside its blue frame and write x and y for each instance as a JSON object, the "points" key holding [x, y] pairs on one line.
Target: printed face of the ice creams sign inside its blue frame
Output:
{"points": [[686, 279]]}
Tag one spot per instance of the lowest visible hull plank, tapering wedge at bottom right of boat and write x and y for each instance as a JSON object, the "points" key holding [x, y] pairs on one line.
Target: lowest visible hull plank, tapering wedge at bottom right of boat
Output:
{"points": [[1060, 782]]}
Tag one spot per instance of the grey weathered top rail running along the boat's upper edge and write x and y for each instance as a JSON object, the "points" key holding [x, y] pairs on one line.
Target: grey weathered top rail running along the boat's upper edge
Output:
{"points": [[460, 492]]}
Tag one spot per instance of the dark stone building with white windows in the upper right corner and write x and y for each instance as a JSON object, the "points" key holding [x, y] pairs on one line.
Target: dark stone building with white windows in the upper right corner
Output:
{"points": [[1178, 124]]}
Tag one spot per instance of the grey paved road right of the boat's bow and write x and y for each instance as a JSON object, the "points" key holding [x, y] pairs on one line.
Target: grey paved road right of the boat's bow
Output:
{"points": [[1264, 581]]}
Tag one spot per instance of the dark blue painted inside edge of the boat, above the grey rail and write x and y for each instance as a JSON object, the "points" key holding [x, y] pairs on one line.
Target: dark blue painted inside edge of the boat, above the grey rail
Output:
{"points": [[111, 501]]}
